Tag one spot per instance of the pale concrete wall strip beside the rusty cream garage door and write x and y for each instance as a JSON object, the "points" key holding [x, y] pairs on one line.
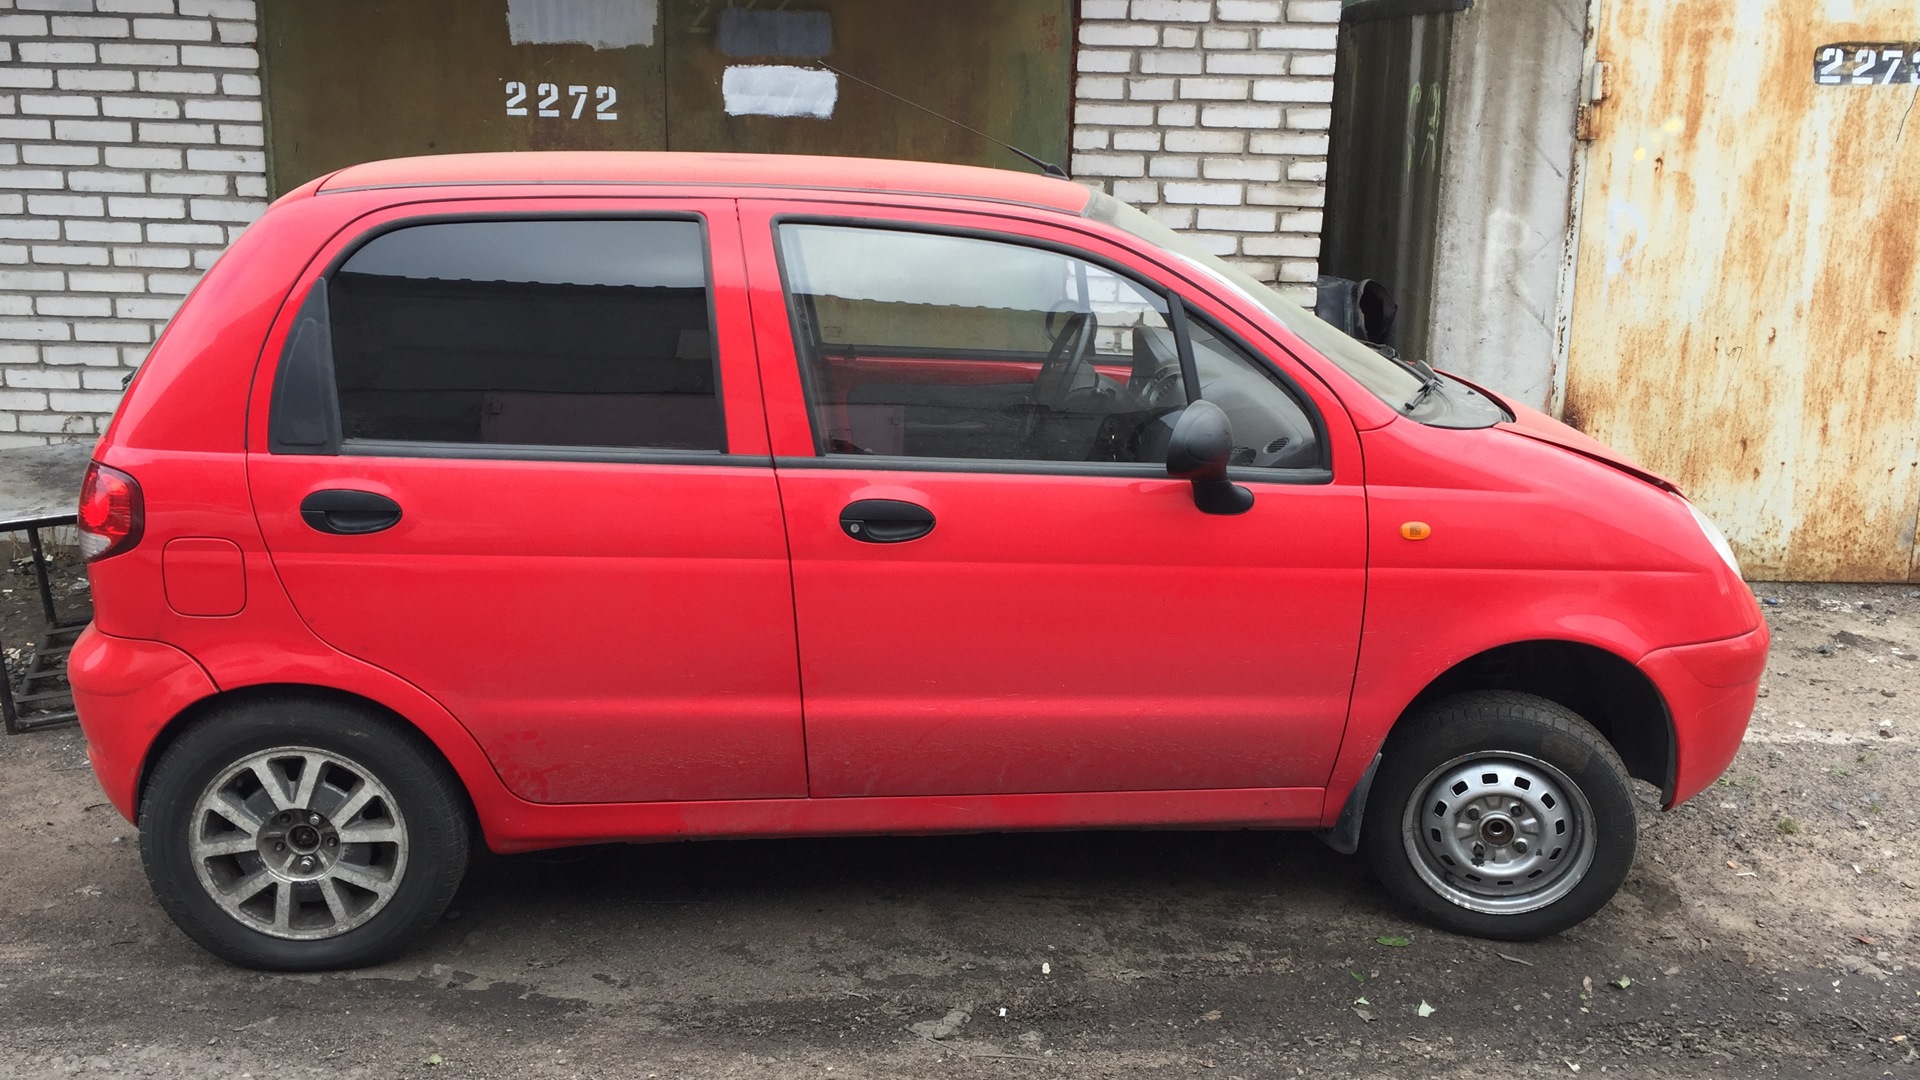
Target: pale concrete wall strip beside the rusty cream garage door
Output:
{"points": [[1506, 193]]}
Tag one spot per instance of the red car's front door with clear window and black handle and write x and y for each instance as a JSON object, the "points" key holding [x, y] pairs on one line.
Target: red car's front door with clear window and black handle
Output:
{"points": [[997, 585]]}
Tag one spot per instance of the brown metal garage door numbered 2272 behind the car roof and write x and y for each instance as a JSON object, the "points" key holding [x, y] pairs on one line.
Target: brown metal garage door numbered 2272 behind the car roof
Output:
{"points": [[360, 80]]}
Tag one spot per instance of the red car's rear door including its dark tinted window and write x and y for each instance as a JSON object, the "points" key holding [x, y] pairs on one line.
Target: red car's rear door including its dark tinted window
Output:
{"points": [[514, 453]]}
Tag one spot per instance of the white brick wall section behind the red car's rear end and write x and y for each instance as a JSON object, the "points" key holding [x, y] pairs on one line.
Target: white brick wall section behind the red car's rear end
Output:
{"points": [[130, 159]]}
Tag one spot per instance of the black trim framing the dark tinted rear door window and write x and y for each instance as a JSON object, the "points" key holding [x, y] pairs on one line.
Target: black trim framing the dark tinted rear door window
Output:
{"points": [[302, 372]]}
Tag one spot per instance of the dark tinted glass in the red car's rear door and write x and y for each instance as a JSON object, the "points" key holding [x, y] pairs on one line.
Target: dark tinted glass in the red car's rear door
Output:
{"points": [[531, 333]]}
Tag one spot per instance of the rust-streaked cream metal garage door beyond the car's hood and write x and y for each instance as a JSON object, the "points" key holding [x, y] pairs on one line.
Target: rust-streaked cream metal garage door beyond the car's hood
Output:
{"points": [[1746, 291]]}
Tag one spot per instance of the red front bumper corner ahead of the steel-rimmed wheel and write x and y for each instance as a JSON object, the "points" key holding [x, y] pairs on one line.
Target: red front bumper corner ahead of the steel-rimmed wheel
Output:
{"points": [[1710, 693]]}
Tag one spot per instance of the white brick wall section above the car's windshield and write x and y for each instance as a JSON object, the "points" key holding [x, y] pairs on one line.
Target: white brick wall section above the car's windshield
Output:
{"points": [[1212, 116]]}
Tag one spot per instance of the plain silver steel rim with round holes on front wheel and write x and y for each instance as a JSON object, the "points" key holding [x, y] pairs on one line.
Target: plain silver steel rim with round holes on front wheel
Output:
{"points": [[1527, 823]]}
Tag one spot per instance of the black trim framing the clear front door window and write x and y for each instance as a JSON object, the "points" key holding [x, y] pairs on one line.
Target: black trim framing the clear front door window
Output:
{"points": [[1180, 310]]}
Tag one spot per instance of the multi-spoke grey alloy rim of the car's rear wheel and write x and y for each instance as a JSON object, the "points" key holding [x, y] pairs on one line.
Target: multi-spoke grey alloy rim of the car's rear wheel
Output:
{"points": [[299, 843]]}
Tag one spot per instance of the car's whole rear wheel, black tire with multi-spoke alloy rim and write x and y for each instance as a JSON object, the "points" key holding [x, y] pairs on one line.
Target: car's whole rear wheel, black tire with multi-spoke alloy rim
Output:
{"points": [[297, 835]]}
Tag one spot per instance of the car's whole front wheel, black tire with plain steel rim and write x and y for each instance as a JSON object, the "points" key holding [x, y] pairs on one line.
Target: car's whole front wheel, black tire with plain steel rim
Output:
{"points": [[1510, 739]]}
